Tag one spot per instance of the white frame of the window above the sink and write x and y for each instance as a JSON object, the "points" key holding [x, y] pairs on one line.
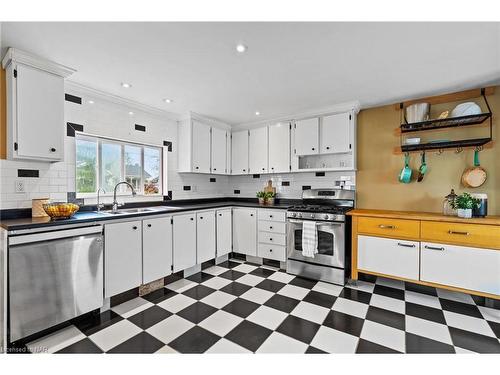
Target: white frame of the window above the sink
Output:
{"points": [[99, 140]]}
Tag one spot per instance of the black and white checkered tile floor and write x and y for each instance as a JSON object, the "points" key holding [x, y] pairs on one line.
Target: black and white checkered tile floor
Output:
{"points": [[243, 308]]}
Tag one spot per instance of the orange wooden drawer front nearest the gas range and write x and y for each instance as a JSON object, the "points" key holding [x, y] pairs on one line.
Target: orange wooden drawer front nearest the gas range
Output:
{"points": [[389, 227]]}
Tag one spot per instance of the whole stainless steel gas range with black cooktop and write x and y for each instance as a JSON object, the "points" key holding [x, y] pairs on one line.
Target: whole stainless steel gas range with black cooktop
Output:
{"points": [[327, 208]]}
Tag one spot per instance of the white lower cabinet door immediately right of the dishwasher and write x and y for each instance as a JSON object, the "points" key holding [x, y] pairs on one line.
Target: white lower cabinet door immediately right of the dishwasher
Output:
{"points": [[122, 257]]}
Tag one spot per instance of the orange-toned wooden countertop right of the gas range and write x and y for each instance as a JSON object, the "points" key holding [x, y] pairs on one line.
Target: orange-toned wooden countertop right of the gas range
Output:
{"points": [[426, 216]]}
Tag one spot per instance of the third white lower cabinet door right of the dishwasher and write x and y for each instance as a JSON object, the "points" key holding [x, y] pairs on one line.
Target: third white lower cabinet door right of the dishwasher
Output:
{"points": [[184, 242]]}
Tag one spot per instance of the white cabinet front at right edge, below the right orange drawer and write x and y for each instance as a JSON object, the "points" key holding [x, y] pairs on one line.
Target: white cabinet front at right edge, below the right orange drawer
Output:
{"points": [[462, 267]]}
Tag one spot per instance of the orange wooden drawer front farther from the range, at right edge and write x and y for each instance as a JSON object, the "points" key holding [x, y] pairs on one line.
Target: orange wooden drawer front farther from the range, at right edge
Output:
{"points": [[477, 235]]}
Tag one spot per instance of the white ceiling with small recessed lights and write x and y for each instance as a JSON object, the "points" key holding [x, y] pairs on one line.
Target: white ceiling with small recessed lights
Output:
{"points": [[288, 68]]}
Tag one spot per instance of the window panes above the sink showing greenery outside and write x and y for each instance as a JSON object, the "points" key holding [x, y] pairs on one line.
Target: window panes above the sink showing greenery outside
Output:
{"points": [[103, 163]]}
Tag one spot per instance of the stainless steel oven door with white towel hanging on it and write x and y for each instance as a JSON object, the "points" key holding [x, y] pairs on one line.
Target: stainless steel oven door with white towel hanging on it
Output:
{"points": [[331, 245]]}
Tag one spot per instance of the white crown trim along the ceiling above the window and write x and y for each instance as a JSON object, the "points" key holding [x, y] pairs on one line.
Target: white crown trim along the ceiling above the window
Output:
{"points": [[98, 94]]}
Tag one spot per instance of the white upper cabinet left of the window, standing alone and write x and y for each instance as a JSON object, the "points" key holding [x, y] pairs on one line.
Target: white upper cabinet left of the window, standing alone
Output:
{"points": [[35, 107]]}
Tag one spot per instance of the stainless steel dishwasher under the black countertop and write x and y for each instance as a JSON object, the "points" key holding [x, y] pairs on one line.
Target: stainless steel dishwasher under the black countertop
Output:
{"points": [[54, 276]]}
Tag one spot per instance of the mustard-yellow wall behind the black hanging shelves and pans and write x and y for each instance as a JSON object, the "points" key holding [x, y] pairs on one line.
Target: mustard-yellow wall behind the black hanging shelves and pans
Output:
{"points": [[378, 167]]}
